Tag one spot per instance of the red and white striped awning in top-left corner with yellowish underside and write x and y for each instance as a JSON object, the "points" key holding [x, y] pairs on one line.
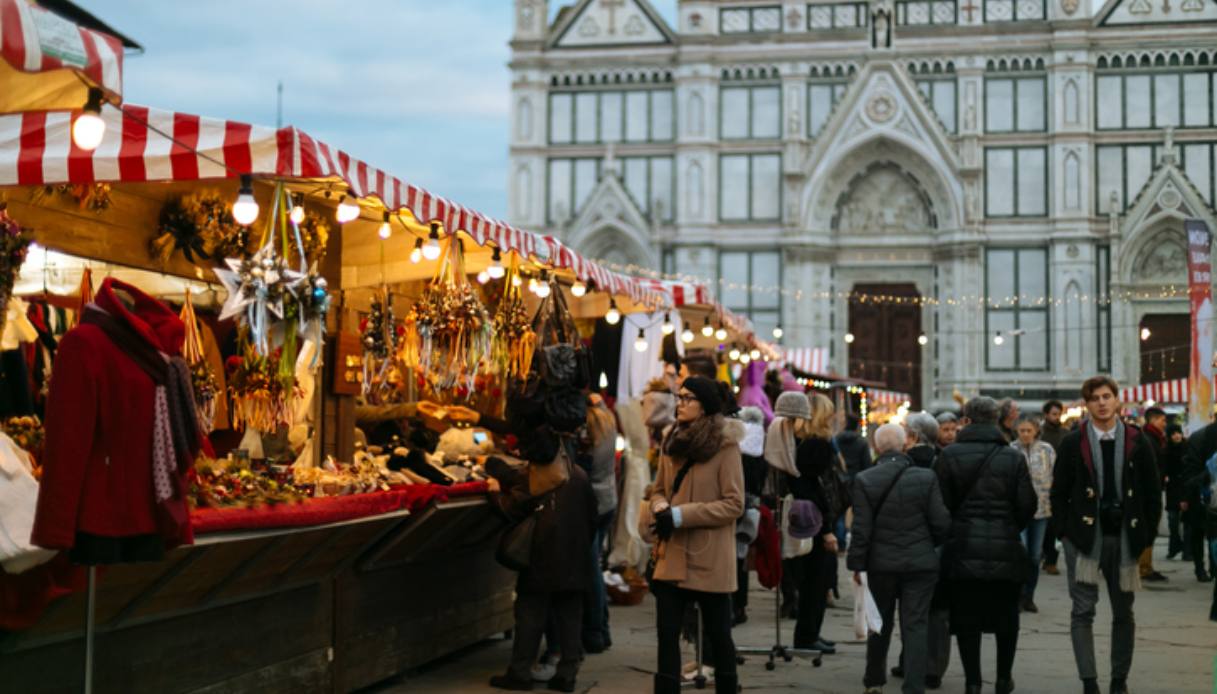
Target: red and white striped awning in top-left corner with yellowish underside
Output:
{"points": [[49, 64]]}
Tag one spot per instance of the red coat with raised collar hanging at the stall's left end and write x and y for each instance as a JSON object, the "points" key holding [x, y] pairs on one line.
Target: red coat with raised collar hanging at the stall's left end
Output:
{"points": [[100, 416]]}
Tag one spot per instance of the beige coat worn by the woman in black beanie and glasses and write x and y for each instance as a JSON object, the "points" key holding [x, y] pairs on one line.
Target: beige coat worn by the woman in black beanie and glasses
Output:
{"points": [[700, 556]]}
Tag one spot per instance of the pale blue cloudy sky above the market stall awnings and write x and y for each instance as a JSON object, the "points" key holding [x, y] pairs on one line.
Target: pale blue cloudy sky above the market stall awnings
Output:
{"points": [[419, 88]]}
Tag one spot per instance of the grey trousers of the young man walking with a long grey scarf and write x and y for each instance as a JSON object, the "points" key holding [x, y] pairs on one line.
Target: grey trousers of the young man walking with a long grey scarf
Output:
{"points": [[1086, 598]]}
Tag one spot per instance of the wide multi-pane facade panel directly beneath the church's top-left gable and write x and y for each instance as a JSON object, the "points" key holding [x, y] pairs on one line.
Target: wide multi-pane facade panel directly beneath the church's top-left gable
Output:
{"points": [[598, 117]]}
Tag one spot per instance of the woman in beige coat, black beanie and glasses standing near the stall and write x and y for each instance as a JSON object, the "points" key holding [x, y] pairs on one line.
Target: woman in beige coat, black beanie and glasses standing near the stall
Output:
{"points": [[696, 501]]}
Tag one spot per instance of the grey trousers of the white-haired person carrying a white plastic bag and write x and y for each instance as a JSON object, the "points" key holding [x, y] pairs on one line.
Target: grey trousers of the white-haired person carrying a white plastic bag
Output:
{"points": [[915, 592]]}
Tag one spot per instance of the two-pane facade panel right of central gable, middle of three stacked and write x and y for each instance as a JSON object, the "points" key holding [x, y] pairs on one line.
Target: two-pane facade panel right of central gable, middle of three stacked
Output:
{"points": [[1017, 182]]}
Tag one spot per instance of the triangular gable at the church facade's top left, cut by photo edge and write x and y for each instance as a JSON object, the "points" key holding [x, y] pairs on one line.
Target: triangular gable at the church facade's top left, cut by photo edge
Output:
{"points": [[612, 23]]}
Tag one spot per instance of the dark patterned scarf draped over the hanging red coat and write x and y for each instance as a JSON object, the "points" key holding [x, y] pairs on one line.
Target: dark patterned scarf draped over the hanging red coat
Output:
{"points": [[176, 432]]}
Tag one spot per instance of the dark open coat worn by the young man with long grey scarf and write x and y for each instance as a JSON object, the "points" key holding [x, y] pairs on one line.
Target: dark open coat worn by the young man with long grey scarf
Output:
{"points": [[1076, 492]]}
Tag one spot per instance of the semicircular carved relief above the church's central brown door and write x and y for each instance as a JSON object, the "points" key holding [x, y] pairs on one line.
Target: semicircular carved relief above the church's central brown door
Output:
{"points": [[884, 200]]}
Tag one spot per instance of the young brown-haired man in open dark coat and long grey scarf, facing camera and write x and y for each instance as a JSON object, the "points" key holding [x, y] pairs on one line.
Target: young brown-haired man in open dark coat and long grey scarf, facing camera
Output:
{"points": [[1107, 502]]}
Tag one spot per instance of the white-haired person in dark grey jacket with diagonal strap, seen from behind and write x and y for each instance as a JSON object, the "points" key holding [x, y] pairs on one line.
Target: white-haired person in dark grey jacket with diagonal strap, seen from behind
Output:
{"points": [[899, 522]]}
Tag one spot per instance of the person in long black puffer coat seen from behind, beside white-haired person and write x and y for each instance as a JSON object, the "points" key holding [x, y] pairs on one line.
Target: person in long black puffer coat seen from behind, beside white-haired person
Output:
{"points": [[988, 489]]}
